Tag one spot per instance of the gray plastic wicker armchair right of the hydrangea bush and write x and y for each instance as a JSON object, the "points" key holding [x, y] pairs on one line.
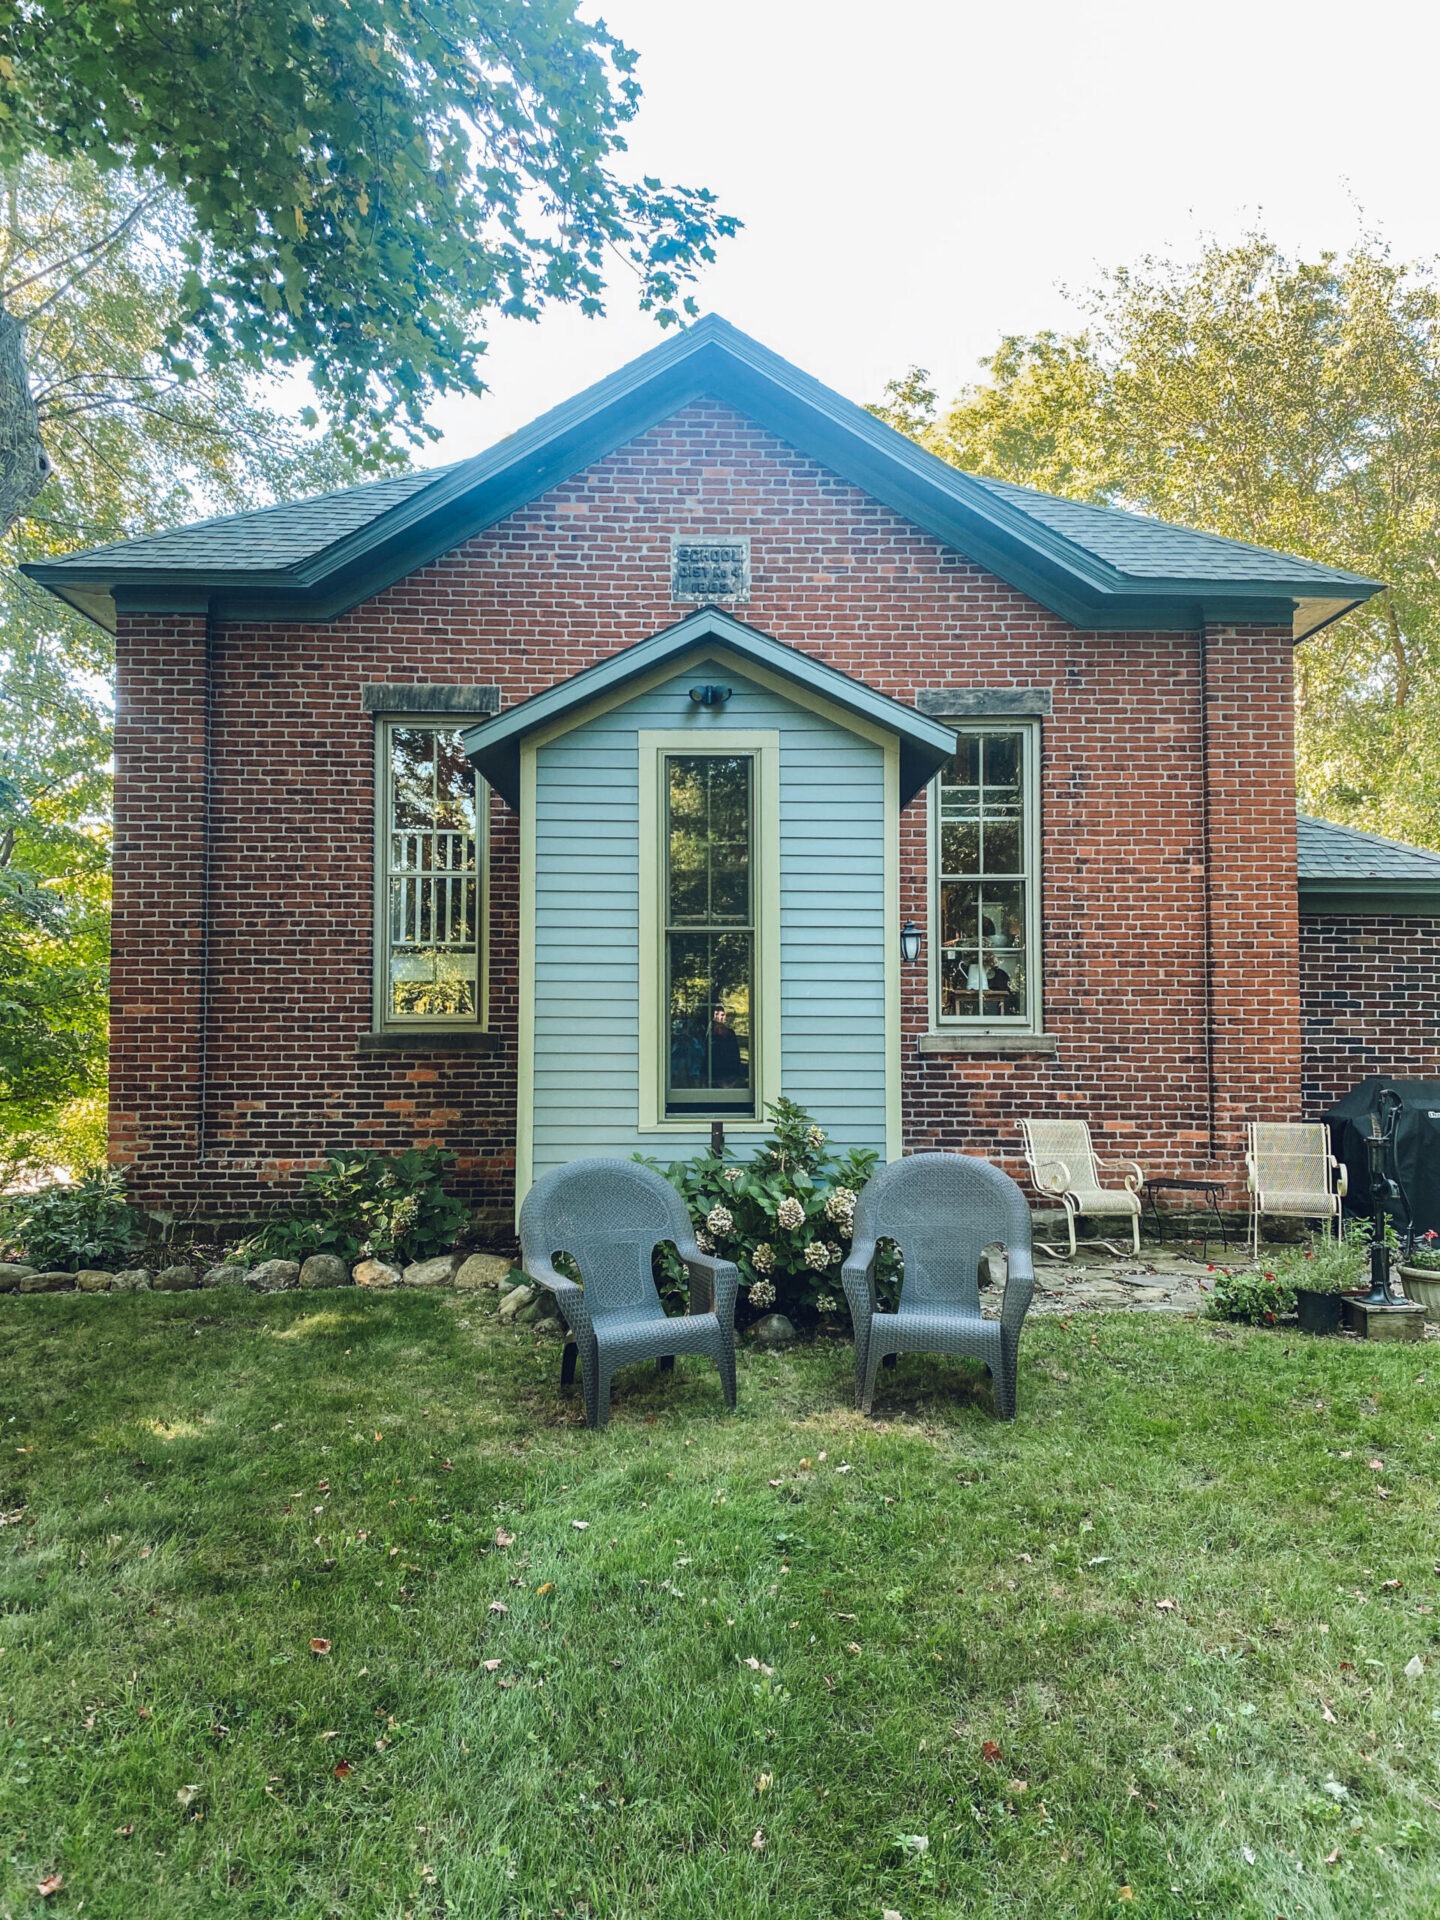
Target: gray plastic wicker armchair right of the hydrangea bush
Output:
{"points": [[942, 1211]]}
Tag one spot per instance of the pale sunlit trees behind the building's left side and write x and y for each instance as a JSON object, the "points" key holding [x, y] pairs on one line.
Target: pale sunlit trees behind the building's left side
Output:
{"points": [[133, 448]]}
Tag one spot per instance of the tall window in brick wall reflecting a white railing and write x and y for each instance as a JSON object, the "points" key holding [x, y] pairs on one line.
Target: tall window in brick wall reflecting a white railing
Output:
{"points": [[431, 878]]}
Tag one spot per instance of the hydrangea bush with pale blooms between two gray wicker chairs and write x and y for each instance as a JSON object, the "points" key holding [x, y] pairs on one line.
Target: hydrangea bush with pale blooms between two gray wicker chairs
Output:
{"points": [[784, 1216]]}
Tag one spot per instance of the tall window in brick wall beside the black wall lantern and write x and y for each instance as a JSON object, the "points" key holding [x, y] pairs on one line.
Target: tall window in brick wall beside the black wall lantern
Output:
{"points": [[986, 880]]}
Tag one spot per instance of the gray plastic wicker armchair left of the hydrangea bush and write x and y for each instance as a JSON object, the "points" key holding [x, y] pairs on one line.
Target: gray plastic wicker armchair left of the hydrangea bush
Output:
{"points": [[610, 1216]]}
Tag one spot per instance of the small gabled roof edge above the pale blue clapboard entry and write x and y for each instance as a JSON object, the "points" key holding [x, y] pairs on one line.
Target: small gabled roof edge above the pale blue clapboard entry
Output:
{"points": [[494, 746]]}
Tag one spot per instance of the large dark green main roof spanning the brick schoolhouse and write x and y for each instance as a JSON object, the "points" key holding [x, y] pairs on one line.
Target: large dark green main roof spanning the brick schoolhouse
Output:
{"points": [[1092, 565]]}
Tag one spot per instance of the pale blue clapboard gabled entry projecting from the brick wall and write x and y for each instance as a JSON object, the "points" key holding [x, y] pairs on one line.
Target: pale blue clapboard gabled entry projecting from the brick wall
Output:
{"points": [[709, 894]]}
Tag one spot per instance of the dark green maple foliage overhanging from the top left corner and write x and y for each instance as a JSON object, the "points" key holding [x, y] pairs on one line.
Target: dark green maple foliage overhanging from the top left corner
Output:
{"points": [[364, 183]]}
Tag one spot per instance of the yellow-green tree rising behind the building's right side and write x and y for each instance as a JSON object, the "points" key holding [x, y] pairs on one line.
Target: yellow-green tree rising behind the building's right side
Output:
{"points": [[1295, 404]]}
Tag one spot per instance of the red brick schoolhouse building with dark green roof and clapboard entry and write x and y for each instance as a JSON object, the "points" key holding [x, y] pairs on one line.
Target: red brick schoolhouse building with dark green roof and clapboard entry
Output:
{"points": [[700, 744]]}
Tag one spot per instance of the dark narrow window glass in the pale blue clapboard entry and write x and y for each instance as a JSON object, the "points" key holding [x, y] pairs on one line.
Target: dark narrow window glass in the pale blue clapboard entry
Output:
{"points": [[709, 934]]}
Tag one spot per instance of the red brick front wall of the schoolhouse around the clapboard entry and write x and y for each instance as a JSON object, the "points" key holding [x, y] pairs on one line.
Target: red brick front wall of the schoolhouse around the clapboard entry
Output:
{"points": [[567, 581]]}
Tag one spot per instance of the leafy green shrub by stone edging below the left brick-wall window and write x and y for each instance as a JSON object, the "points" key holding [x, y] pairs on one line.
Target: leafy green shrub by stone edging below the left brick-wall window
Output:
{"points": [[368, 1205]]}
